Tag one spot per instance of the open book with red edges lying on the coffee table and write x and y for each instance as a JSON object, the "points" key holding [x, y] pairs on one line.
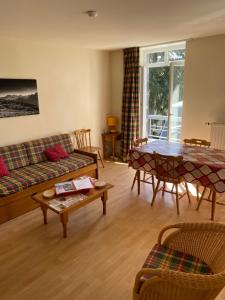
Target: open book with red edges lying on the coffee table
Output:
{"points": [[70, 187]]}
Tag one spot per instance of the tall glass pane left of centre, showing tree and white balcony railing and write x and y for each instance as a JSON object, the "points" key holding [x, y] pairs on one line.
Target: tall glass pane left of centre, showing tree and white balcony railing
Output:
{"points": [[158, 103]]}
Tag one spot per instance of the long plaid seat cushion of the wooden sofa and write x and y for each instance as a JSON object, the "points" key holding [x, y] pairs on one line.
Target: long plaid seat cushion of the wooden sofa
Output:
{"points": [[22, 178]]}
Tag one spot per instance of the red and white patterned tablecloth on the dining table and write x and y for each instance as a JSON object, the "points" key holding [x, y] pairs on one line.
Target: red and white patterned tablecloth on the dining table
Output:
{"points": [[203, 166]]}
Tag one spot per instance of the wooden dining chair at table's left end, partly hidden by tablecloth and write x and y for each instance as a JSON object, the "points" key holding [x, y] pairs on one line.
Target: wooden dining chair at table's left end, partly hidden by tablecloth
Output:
{"points": [[137, 177]]}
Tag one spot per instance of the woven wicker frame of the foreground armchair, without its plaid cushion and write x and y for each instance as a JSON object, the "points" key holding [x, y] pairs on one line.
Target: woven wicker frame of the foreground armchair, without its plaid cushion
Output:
{"points": [[205, 241]]}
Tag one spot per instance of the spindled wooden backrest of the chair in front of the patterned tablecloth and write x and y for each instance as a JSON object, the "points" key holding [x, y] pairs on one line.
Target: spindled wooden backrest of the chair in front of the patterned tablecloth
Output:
{"points": [[168, 167]]}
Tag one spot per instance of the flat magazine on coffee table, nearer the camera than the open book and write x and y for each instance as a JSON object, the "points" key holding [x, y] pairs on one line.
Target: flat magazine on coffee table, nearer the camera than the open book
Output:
{"points": [[64, 202]]}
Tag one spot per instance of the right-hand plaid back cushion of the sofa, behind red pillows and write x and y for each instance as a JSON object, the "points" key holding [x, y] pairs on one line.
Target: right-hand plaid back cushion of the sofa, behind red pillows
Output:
{"points": [[35, 149]]}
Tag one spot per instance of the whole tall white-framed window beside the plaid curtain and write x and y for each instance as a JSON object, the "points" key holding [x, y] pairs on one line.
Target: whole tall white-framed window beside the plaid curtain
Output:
{"points": [[163, 82]]}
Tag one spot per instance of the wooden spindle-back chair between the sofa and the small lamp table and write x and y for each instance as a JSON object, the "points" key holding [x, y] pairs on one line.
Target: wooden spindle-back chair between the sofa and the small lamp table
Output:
{"points": [[83, 141]]}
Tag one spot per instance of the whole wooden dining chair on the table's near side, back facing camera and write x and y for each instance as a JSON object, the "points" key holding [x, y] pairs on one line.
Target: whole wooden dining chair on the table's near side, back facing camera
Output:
{"points": [[167, 171]]}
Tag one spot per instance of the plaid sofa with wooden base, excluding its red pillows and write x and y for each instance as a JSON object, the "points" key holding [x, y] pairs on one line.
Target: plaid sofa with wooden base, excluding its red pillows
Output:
{"points": [[30, 172]]}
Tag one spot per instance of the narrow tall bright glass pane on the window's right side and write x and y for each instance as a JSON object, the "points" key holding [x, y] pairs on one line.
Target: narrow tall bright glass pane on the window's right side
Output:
{"points": [[177, 103]]}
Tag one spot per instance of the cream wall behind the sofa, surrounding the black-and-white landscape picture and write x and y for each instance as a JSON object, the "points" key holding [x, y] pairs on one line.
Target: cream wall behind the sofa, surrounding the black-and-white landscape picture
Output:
{"points": [[74, 88]]}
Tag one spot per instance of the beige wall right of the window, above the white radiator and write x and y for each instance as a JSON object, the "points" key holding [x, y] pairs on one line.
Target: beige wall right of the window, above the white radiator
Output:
{"points": [[204, 94]]}
